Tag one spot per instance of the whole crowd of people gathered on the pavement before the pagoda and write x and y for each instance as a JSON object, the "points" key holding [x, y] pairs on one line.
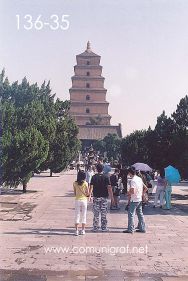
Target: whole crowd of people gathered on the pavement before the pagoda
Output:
{"points": [[97, 183]]}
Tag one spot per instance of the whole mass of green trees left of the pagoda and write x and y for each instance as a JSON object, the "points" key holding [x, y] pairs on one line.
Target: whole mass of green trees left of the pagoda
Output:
{"points": [[38, 133]]}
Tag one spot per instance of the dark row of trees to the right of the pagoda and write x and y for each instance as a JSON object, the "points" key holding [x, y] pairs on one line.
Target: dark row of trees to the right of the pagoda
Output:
{"points": [[166, 144]]}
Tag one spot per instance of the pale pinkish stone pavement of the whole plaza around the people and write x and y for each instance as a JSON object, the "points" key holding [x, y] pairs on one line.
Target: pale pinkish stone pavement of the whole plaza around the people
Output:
{"points": [[37, 241]]}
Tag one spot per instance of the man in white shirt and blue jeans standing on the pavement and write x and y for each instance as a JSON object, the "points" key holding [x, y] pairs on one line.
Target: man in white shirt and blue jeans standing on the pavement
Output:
{"points": [[135, 193]]}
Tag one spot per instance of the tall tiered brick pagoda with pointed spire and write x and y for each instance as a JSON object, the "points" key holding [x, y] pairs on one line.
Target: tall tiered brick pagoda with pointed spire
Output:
{"points": [[89, 107]]}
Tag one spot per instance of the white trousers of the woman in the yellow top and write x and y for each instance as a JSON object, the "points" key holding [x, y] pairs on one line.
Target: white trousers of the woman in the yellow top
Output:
{"points": [[80, 211]]}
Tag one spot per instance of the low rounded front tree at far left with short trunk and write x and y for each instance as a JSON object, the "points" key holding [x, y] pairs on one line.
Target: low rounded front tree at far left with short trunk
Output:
{"points": [[23, 152]]}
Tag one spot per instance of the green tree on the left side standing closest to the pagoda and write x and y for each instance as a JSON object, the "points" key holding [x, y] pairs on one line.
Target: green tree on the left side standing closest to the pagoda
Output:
{"points": [[64, 147]]}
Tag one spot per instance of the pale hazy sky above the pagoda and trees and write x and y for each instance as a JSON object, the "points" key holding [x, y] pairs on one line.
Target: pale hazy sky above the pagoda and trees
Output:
{"points": [[143, 46]]}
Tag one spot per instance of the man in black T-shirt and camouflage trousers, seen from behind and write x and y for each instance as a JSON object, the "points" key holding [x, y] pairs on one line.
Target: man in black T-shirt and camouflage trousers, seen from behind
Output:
{"points": [[101, 188]]}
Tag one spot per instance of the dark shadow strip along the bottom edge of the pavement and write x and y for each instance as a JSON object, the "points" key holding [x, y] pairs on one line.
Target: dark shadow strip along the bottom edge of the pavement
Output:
{"points": [[89, 274]]}
